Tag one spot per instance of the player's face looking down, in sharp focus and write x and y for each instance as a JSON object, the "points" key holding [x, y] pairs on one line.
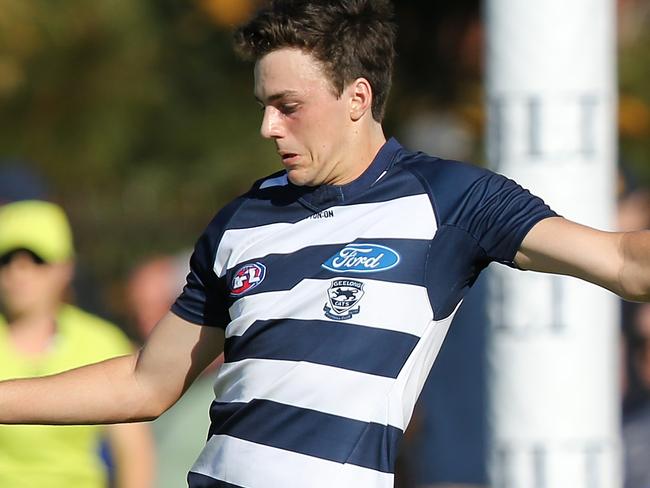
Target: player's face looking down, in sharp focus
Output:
{"points": [[308, 122]]}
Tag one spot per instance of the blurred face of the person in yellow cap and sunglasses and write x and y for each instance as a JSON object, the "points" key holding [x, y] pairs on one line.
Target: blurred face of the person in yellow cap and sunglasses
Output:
{"points": [[28, 286]]}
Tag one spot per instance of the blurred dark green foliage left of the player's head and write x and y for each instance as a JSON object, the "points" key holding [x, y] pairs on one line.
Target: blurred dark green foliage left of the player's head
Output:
{"points": [[138, 113]]}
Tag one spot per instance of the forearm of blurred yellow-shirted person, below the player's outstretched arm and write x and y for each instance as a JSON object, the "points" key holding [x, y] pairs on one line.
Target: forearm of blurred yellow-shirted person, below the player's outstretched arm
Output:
{"points": [[133, 451]]}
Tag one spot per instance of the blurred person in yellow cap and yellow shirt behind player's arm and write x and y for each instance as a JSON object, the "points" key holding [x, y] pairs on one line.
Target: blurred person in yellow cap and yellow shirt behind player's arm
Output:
{"points": [[41, 335]]}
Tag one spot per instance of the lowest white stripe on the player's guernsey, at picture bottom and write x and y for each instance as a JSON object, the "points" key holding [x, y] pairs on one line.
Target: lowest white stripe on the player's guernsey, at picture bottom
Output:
{"points": [[252, 465]]}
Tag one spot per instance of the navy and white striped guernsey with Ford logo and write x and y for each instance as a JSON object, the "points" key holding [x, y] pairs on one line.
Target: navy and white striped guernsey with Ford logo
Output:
{"points": [[335, 301]]}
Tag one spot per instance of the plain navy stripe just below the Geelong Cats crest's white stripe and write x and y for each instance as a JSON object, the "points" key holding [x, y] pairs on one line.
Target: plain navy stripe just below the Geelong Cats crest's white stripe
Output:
{"points": [[341, 345]]}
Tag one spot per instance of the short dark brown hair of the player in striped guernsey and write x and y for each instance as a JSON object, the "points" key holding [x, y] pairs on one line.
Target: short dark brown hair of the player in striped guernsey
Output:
{"points": [[350, 38]]}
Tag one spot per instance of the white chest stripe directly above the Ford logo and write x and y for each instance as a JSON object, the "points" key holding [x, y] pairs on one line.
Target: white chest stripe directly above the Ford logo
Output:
{"points": [[402, 218]]}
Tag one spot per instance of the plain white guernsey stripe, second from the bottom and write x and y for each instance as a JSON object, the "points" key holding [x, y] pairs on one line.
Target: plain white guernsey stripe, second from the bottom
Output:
{"points": [[309, 386]]}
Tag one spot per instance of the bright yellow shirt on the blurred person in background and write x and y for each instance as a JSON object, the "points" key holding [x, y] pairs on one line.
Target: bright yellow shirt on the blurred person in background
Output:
{"points": [[39, 456]]}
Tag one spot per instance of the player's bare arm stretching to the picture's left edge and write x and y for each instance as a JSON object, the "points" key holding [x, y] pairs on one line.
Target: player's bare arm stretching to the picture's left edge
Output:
{"points": [[130, 388]]}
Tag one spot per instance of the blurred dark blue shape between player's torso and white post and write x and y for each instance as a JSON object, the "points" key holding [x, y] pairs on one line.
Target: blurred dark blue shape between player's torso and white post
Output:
{"points": [[450, 450]]}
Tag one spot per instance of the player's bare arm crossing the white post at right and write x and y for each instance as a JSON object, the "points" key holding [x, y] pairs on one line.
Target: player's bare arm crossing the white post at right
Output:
{"points": [[618, 261]]}
